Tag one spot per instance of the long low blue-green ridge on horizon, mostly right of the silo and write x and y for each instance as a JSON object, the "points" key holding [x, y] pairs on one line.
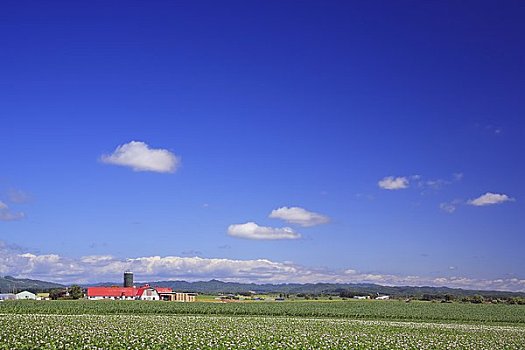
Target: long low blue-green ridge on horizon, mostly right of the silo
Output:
{"points": [[216, 287]]}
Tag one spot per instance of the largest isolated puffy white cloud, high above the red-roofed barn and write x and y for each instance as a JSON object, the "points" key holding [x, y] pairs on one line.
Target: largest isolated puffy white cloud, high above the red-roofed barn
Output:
{"points": [[140, 157]]}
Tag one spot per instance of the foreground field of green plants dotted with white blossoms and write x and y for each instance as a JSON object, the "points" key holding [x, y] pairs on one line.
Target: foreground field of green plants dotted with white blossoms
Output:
{"points": [[251, 332]]}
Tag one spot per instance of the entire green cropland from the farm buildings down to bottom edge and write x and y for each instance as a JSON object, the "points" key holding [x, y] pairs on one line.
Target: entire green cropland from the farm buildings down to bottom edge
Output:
{"points": [[263, 325]]}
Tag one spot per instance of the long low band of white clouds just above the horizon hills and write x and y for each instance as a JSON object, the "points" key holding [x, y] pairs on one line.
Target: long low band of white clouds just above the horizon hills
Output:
{"points": [[96, 268]]}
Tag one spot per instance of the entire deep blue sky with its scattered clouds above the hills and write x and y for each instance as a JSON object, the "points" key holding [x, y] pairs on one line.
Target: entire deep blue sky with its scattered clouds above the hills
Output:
{"points": [[387, 139]]}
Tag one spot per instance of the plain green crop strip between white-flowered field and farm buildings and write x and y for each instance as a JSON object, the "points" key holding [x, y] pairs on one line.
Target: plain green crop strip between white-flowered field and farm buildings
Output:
{"points": [[377, 310]]}
